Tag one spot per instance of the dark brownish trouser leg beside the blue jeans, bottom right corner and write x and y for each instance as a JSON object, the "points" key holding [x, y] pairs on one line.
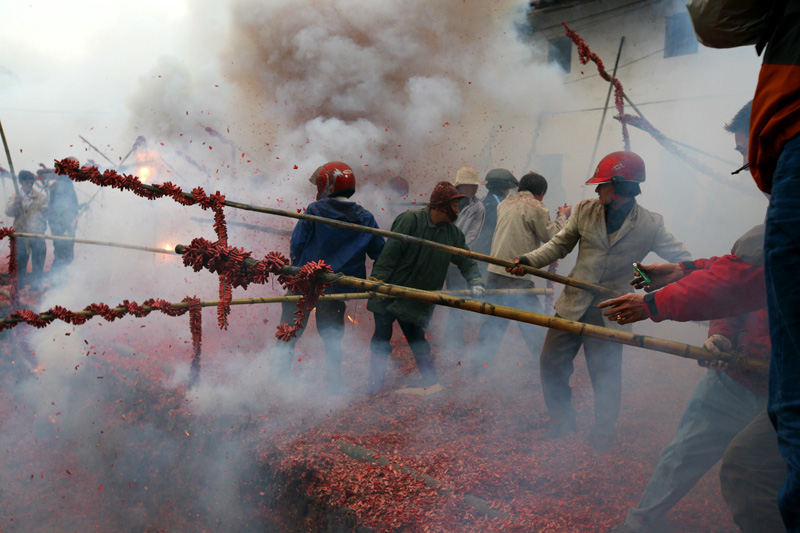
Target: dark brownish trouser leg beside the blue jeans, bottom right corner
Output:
{"points": [[751, 476]]}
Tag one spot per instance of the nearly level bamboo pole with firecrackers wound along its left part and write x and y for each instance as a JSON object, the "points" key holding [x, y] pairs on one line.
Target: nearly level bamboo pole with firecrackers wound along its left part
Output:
{"points": [[345, 296]]}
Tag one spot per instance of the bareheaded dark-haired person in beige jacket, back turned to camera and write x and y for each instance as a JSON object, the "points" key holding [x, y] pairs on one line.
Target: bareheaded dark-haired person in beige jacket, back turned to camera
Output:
{"points": [[523, 224]]}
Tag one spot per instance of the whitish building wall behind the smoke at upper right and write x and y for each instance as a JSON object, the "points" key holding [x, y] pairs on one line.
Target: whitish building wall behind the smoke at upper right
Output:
{"points": [[687, 97]]}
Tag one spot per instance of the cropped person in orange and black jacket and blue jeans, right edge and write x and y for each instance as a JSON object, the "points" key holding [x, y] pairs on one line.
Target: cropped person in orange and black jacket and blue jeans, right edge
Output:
{"points": [[774, 161]]}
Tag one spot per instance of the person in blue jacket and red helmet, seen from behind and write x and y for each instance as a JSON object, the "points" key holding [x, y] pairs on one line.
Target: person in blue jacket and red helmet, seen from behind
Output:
{"points": [[344, 250]]}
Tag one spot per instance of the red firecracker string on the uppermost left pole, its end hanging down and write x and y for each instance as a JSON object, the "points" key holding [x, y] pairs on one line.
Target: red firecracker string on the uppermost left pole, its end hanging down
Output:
{"points": [[214, 202]]}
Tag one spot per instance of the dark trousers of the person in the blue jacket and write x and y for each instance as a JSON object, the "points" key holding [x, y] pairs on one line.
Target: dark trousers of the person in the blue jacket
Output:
{"points": [[330, 326]]}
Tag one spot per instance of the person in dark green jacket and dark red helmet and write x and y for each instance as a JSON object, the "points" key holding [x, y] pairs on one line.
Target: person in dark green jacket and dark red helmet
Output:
{"points": [[412, 265]]}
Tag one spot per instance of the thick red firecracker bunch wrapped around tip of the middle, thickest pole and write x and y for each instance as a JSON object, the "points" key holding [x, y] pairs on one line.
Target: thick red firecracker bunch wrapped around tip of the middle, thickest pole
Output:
{"points": [[228, 261]]}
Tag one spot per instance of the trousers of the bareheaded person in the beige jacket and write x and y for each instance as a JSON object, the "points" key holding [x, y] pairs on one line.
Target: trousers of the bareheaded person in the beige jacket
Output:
{"points": [[494, 328]]}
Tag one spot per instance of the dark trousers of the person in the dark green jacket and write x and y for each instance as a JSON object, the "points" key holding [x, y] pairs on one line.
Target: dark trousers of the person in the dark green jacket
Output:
{"points": [[381, 347]]}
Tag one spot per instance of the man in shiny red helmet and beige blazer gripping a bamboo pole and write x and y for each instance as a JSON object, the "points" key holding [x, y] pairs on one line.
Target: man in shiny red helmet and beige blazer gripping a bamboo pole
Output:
{"points": [[611, 232]]}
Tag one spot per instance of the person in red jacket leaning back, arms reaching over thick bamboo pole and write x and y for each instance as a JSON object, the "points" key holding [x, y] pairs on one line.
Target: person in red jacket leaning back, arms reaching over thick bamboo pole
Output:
{"points": [[700, 290]]}
